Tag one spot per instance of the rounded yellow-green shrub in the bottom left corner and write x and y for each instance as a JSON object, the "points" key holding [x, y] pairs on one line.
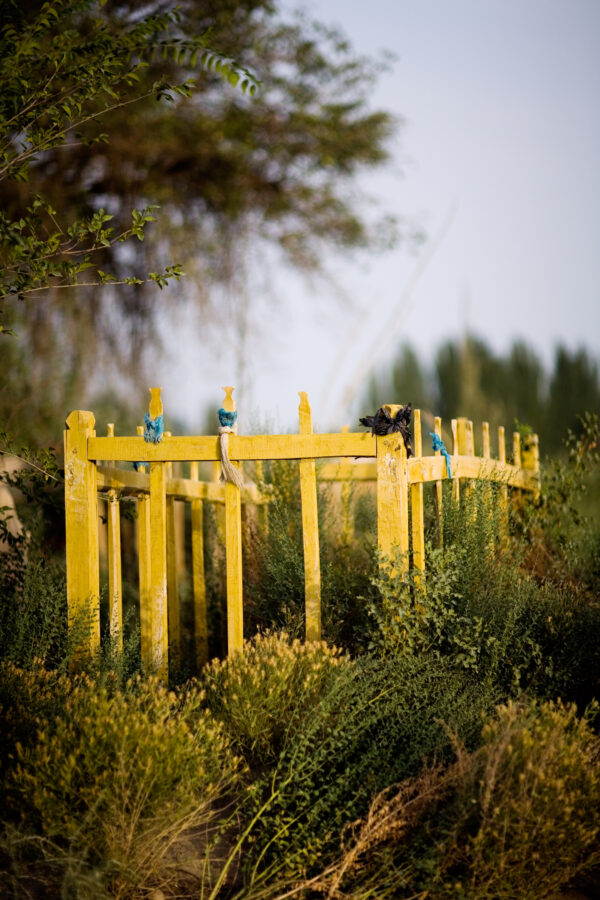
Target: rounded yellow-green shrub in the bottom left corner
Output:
{"points": [[111, 786]]}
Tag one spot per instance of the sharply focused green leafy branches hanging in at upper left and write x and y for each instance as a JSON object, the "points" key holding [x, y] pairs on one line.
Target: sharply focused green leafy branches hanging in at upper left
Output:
{"points": [[62, 68]]}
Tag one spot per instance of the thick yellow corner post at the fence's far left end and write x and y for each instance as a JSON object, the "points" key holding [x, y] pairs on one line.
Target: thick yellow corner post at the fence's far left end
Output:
{"points": [[81, 520]]}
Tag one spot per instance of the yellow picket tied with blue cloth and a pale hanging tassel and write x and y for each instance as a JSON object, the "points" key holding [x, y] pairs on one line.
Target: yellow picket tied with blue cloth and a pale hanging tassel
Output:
{"points": [[233, 550]]}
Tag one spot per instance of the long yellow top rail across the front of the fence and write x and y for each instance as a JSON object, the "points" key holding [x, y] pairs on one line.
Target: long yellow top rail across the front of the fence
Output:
{"points": [[241, 447]]}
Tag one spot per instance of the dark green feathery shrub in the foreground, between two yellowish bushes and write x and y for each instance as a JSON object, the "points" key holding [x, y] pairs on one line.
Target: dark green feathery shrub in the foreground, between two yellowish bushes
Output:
{"points": [[375, 725]]}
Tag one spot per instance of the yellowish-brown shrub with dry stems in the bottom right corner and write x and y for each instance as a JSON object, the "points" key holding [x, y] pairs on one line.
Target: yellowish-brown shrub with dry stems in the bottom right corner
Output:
{"points": [[515, 820]]}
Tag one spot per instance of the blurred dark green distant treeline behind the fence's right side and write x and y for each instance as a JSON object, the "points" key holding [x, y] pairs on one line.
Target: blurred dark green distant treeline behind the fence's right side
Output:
{"points": [[466, 378]]}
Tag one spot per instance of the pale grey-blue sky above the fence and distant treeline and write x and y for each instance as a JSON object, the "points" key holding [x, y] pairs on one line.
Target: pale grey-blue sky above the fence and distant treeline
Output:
{"points": [[498, 161]]}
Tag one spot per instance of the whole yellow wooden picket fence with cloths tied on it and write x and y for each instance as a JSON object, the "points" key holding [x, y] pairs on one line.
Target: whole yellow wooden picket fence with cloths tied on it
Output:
{"points": [[90, 468]]}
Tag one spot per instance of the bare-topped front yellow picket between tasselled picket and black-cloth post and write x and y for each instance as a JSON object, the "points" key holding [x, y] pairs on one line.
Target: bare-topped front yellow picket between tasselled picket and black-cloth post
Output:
{"points": [[310, 530]]}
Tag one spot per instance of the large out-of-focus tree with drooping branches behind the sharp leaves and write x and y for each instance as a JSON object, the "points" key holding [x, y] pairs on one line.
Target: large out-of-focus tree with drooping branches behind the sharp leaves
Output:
{"points": [[234, 175]]}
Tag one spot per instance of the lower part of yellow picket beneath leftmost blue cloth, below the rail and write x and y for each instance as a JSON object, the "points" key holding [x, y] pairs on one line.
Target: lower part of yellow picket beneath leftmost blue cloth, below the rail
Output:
{"points": [[158, 568]]}
